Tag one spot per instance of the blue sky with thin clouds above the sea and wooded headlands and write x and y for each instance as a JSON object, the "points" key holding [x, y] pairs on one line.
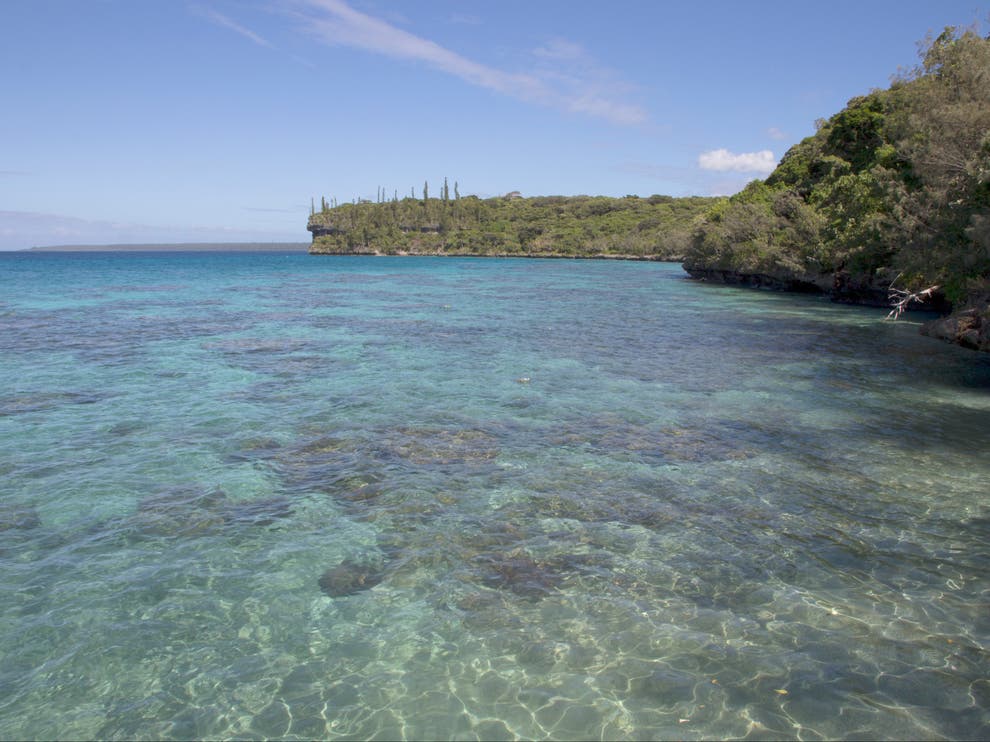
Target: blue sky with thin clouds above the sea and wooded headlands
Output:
{"points": [[219, 120]]}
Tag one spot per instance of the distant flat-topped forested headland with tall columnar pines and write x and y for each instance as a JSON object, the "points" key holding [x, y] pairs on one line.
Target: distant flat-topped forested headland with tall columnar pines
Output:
{"points": [[653, 228]]}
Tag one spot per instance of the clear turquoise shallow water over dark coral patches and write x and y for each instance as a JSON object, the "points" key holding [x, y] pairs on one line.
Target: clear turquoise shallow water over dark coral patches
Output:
{"points": [[250, 495]]}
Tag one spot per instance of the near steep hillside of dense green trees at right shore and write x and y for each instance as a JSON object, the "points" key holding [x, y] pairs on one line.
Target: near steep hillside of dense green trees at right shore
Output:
{"points": [[890, 196]]}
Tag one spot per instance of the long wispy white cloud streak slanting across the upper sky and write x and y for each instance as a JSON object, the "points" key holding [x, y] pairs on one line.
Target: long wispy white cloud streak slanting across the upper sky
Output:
{"points": [[337, 23]]}
